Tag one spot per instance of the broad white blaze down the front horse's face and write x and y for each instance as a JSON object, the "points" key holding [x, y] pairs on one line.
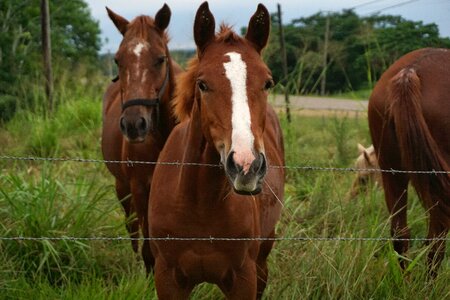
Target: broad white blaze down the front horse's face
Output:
{"points": [[241, 137]]}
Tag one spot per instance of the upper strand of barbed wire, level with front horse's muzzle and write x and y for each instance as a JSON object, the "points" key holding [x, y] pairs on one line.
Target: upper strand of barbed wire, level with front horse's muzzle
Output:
{"points": [[177, 164]]}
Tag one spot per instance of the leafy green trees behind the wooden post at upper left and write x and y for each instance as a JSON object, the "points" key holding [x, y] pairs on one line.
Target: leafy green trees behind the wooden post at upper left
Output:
{"points": [[75, 40]]}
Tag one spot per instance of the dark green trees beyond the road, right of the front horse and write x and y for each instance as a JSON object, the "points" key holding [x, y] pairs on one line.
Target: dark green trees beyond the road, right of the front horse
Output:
{"points": [[359, 49]]}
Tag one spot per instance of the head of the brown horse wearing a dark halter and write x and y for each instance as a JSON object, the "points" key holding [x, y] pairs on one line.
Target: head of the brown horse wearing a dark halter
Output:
{"points": [[143, 65]]}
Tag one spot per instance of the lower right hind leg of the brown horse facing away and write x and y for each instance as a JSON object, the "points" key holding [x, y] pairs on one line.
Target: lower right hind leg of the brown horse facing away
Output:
{"points": [[436, 229]]}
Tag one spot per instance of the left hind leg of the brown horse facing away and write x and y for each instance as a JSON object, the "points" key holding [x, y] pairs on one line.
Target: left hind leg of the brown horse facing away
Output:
{"points": [[396, 196]]}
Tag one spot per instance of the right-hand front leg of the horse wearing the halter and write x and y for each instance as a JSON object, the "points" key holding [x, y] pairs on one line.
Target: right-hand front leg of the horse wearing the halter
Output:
{"points": [[141, 191]]}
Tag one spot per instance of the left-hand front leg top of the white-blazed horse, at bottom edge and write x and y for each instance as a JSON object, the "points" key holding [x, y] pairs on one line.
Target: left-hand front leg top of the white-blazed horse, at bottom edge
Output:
{"points": [[171, 283]]}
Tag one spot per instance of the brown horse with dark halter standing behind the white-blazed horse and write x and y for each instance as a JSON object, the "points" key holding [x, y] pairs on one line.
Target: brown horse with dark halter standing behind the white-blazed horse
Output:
{"points": [[137, 116]]}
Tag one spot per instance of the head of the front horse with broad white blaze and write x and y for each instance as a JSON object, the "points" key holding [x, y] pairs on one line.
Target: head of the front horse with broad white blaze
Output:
{"points": [[231, 88]]}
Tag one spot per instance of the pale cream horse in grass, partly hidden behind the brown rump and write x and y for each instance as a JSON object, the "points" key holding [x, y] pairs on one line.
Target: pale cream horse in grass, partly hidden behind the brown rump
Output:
{"points": [[367, 159]]}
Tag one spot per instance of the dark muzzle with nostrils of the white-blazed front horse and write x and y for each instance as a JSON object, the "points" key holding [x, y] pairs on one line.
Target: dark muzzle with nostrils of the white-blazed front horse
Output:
{"points": [[246, 182]]}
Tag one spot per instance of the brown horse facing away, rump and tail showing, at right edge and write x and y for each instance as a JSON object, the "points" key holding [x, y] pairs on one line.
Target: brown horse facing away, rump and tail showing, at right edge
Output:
{"points": [[409, 118]]}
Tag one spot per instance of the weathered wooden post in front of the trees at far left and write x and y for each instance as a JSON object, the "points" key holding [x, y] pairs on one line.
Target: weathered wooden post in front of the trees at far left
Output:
{"points": [[47, 53]]}
